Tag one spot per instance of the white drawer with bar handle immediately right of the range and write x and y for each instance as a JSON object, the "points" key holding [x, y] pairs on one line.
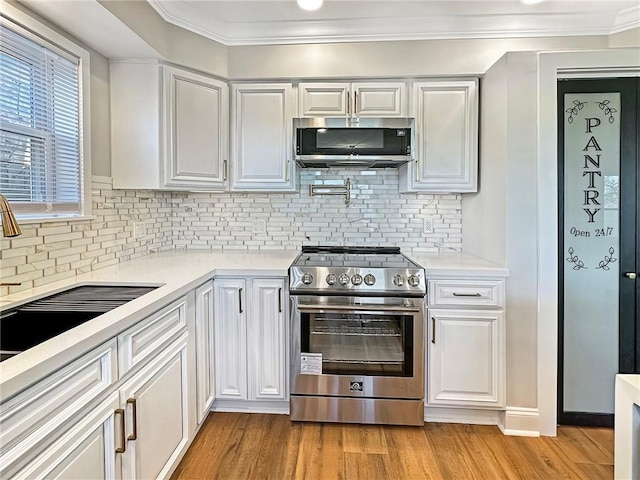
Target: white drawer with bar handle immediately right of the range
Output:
{"points": [[457, 292]]}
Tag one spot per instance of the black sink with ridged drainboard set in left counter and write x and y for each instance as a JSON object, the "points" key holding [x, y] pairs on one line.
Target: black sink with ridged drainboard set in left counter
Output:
{"points": [[34, 322]]}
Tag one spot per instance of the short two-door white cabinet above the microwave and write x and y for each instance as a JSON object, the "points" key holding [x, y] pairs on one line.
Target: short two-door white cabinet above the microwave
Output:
{"points": [[358, 99]]}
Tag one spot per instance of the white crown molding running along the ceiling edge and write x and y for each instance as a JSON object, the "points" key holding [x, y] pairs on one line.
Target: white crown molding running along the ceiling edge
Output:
{"points": [[355, 30]]}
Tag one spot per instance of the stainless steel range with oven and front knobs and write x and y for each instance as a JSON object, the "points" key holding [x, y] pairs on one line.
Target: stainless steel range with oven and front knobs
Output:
{"points": [[357, 327]]}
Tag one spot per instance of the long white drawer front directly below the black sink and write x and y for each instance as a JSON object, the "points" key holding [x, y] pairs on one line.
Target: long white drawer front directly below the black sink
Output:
{"points": [[44, 409]]}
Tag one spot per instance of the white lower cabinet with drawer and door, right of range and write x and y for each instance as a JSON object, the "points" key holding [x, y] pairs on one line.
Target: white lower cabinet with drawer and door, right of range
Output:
{"points": [[466, 342]]}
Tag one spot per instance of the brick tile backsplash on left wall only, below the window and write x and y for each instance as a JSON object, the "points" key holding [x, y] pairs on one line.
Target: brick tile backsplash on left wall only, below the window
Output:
{"points": [[47, 252]]}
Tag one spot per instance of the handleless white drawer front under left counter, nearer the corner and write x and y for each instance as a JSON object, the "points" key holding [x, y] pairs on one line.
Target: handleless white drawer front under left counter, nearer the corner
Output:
{"points": [[147, 338]]}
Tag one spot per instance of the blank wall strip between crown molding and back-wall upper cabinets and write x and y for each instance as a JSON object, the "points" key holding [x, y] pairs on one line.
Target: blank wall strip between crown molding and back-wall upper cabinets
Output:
{"points": [[399, 58]]}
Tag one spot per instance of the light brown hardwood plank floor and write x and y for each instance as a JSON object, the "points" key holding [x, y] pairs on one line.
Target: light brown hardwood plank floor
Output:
{"points": [[256, 446]]}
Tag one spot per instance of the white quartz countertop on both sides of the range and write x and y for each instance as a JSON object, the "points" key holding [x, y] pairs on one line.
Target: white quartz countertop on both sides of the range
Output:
{"points": [[176, 273]]}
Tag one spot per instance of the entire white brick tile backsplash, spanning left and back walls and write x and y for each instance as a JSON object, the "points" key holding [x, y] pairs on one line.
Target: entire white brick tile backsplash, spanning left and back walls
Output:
{"points": [[377, 215]]}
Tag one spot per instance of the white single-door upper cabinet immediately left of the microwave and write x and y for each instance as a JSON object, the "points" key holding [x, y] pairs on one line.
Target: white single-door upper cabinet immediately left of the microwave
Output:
{"points": [[262, 137]]}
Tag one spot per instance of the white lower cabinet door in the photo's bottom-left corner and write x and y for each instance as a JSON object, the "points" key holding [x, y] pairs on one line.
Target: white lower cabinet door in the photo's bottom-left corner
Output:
{"points": [[86, 451]]}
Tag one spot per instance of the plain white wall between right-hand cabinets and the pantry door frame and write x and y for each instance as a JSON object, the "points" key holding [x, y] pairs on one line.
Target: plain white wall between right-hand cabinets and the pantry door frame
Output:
{"points": [[500, 221]]}
